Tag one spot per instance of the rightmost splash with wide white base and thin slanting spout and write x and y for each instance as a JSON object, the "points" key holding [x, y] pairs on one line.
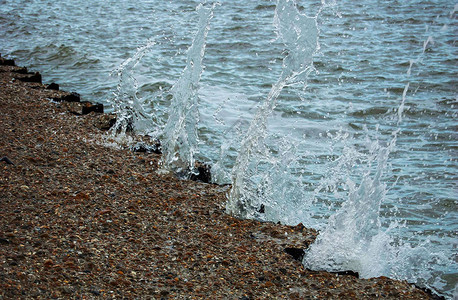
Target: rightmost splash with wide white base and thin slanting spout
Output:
{"points": [[354, 238]]}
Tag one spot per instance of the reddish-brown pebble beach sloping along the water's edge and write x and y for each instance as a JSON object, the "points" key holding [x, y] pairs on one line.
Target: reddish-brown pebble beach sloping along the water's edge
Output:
{"points": [[81, 220]]}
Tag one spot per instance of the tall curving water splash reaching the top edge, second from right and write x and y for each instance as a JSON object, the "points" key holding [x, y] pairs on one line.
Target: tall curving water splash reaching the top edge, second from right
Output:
{"points": [[251, 174]]}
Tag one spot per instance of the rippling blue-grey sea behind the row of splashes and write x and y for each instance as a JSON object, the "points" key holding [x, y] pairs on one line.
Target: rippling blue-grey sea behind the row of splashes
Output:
{"points": [[325, 136]]}
